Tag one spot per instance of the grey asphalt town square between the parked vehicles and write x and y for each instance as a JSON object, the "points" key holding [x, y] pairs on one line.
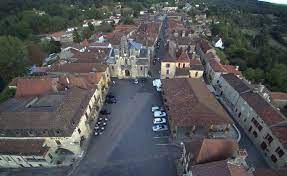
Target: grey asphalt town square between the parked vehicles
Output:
{"points": [[128, 146]]}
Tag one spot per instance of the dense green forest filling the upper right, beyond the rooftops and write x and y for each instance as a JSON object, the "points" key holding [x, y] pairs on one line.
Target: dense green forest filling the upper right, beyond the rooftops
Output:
{"points": [[255, 38]]}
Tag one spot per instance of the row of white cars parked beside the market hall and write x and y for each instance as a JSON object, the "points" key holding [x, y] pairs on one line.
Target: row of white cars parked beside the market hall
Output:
{"points": [[159, 121]]}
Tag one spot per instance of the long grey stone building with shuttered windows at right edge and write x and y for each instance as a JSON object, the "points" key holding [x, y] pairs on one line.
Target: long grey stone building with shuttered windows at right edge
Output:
{"points": [[263, 123]]}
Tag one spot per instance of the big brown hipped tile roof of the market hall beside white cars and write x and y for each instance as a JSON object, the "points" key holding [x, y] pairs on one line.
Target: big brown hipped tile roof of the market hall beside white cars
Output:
{"points": [[191, 103]]}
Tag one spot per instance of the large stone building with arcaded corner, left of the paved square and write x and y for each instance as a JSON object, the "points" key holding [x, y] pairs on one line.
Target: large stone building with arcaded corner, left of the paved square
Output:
{"points": [[50, 118]]}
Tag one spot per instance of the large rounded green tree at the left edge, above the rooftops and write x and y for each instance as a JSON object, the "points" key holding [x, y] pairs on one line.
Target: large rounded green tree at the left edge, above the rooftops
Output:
{"points": [[13, 58]]}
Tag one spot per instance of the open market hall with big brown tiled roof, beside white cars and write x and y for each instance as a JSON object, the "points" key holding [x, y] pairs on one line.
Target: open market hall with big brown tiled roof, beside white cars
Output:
{"points": [[193, 111]]}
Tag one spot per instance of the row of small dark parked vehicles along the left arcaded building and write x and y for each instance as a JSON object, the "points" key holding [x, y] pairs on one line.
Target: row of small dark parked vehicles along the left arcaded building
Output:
{"points": [[104, 116]]}
